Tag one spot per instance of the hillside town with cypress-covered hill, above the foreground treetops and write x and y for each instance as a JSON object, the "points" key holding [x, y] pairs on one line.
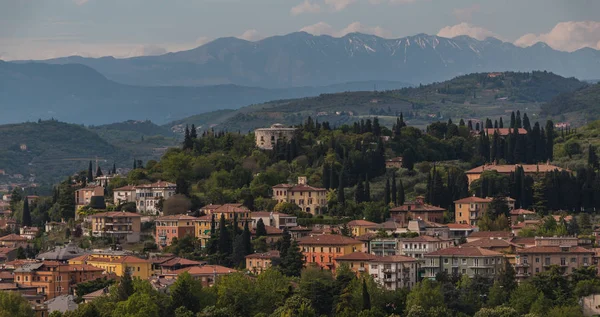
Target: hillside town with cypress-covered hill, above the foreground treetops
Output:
{"points": [[359, 214]]}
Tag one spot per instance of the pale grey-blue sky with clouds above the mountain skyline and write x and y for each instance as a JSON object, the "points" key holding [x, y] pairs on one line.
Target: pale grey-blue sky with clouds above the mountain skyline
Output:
{"points": [[42, 29]]}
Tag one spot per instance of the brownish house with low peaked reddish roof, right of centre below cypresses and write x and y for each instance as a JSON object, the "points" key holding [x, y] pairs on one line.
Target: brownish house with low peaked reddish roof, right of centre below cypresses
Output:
{"points": [[417, 209]]}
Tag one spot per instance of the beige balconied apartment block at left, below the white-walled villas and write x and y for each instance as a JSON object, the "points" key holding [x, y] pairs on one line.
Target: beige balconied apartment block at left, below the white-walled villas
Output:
{"points": [[123, 226]]}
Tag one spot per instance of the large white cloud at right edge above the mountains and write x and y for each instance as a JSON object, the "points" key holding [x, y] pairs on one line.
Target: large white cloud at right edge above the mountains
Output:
{"points": [[566, 36]]}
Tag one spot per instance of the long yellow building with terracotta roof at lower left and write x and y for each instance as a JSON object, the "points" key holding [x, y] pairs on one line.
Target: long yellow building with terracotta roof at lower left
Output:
{"points": [[117, 263]]}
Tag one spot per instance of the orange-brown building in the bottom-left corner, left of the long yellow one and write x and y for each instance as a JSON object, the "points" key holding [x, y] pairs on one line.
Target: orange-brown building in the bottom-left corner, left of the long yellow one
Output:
{"points": [[53, 278]]}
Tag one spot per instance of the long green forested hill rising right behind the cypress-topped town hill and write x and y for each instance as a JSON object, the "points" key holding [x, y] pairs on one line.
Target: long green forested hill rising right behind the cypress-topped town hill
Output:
{"points": [[477, 96]]}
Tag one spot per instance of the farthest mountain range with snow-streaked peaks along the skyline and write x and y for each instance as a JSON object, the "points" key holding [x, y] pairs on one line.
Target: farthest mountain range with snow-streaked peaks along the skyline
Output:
{"points": [[301, 59]]}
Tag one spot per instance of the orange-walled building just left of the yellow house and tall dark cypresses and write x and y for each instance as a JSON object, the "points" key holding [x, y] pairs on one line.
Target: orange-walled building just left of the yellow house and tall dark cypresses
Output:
{"points": [[173, 226]]}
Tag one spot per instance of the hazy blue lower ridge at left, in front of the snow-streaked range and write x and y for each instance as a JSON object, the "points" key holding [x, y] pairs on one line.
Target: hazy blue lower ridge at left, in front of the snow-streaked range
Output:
{"points": [[79, 94]]}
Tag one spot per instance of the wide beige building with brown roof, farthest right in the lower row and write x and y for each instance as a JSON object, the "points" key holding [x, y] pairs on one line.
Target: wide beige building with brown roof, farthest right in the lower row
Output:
{"points": [[537, 259]]}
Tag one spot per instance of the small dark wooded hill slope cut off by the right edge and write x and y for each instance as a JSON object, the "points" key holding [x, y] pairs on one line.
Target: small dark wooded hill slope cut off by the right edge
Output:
{"points": [[585, 101]]}
